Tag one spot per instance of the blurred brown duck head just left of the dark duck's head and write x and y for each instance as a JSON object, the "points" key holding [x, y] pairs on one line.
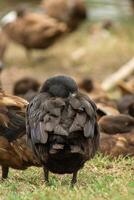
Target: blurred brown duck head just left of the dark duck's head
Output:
{"points": [[26, 88]]}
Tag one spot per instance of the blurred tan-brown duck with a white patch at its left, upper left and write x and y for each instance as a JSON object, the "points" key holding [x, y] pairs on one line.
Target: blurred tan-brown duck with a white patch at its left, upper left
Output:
{"points": [[32, 30]]}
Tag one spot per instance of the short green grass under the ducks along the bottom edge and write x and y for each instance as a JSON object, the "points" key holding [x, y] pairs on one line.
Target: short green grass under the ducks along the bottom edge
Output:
{"points": [[100, 179]]}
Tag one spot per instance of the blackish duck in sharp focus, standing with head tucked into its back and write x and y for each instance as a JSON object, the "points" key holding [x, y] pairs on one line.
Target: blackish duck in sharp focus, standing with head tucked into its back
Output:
{"points": [[61, 127]]}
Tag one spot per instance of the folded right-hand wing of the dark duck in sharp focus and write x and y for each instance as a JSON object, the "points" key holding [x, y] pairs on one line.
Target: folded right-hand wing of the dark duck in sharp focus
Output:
{"points": [[85, 115]]}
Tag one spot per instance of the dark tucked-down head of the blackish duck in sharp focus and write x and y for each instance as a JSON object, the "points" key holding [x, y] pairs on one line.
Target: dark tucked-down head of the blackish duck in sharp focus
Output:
{"points": [[60, 86]]}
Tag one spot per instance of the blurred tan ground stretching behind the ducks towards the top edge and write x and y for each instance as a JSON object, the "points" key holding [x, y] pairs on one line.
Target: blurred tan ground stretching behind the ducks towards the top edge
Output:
{"points": [[100, 45]]}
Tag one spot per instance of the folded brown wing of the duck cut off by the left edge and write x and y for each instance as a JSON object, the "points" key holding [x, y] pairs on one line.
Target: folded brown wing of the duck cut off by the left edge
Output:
{"points": [[12, 116]]}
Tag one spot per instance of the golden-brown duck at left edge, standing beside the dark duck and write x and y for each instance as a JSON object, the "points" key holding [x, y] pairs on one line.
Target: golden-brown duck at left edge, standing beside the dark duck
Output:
{"points": [[14, 151]]}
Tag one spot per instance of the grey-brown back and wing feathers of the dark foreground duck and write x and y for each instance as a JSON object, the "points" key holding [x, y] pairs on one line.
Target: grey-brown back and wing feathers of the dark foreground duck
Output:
{"points": [[64, 117]]}
